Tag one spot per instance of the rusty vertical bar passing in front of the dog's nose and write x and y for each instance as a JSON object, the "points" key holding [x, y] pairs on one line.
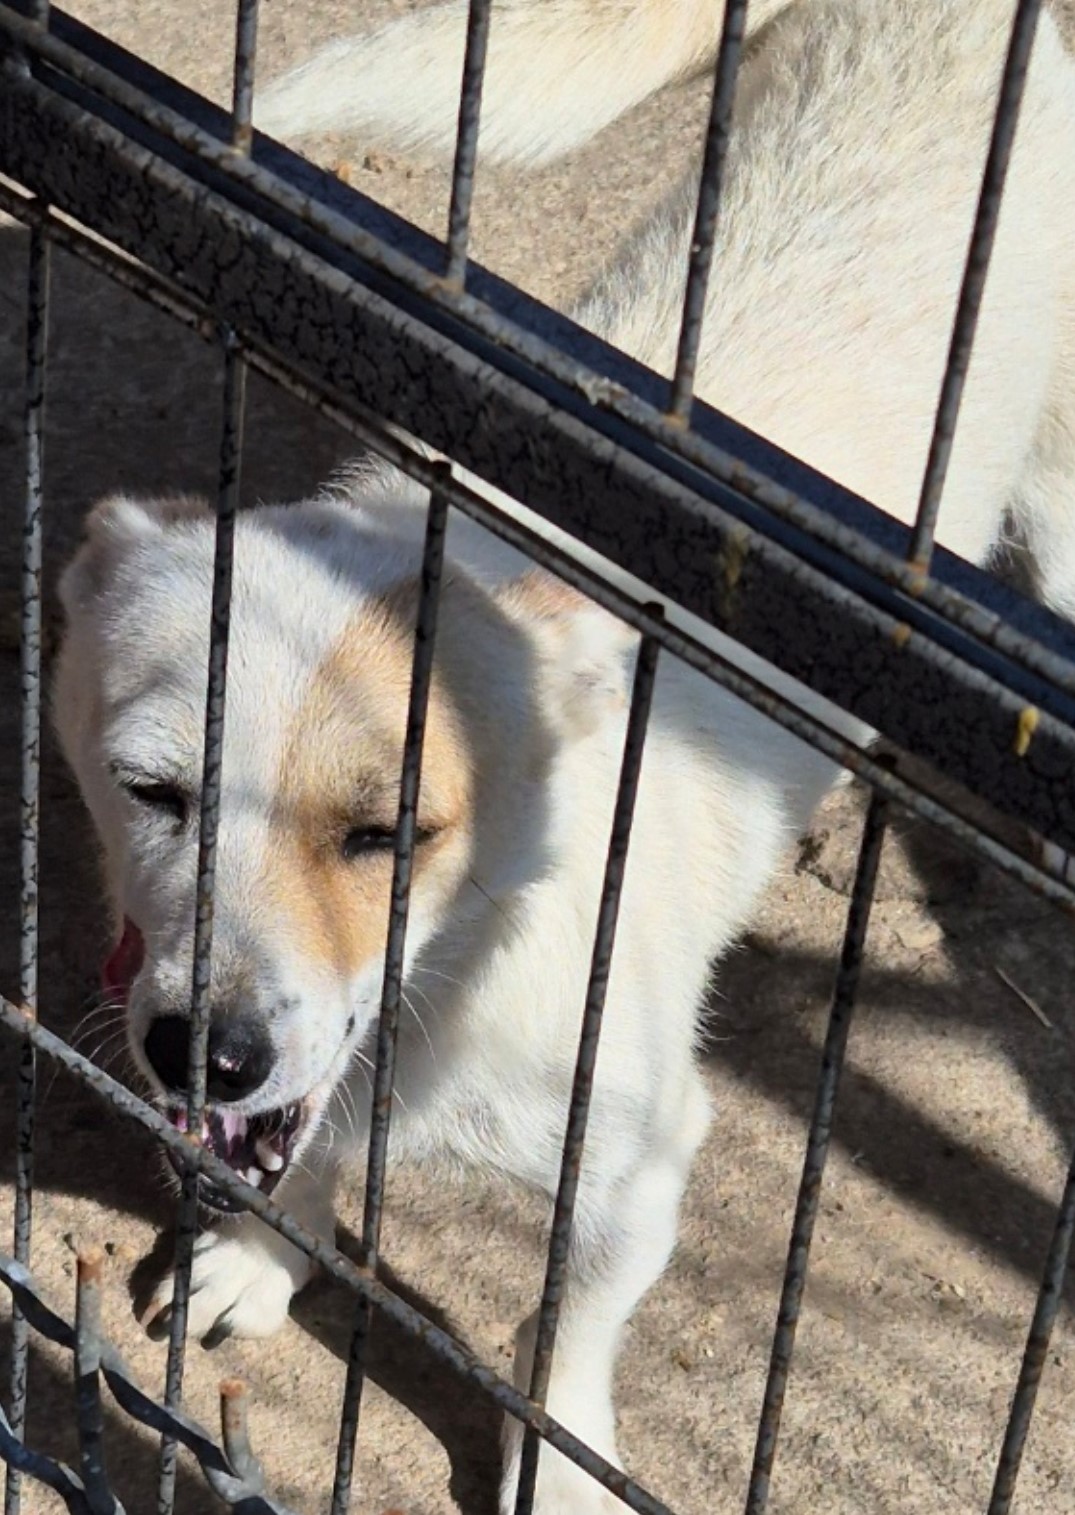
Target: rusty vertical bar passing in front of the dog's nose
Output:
{"points": [[228, 504]]}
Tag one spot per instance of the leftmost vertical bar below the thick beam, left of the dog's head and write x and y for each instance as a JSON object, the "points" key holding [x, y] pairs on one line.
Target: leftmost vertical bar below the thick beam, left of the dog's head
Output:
{"points": [[37, 349]]}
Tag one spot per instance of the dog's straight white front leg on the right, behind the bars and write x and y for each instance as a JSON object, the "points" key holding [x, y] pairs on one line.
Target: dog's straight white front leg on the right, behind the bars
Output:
{"points": [[623, 1240]]}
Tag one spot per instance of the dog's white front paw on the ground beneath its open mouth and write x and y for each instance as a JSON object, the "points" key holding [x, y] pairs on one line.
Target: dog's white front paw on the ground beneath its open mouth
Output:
{"points": [[241, 1284]]}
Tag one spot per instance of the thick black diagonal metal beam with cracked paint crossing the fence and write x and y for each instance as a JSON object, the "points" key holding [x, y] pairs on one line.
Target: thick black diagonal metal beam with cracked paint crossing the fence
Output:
{"points": [[962, 637]]}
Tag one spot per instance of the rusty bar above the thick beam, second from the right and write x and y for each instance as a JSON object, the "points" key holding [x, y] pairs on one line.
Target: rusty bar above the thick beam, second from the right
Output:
{"points": [[709, 208]]}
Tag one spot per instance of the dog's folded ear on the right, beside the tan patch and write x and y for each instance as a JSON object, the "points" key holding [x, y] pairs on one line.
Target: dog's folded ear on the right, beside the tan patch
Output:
{"points": [[584, 646]]}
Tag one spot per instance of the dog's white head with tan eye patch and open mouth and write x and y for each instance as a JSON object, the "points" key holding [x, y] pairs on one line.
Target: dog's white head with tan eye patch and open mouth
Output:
{"points": [[322, 636]]}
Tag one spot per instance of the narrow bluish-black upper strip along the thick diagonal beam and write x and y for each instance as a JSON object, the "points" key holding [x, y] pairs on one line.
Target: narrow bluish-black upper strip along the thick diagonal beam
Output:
{"points": [[561, 351]]}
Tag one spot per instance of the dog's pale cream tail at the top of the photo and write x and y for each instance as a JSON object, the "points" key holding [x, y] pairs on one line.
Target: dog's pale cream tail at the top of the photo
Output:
{"points": [[558, 72]]}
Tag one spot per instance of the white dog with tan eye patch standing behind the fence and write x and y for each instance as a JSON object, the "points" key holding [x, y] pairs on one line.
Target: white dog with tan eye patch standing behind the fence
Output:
{"points": [[858, 155]]}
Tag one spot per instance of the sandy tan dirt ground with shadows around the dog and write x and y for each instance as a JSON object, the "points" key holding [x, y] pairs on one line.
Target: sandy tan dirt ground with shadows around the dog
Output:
{"points": [[959, 1102]]}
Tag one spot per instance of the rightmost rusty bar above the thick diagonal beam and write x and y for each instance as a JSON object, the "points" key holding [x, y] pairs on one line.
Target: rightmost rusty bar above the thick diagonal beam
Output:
{"points": [[974, 281]]}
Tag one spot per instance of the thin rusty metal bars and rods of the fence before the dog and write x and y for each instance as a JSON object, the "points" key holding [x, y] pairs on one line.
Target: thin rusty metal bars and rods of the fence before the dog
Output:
{"points": [[1029, 640]]}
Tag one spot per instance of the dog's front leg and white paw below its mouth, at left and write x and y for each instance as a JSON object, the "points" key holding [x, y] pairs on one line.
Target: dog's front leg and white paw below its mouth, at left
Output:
{"points": [[246, 1273]]}
